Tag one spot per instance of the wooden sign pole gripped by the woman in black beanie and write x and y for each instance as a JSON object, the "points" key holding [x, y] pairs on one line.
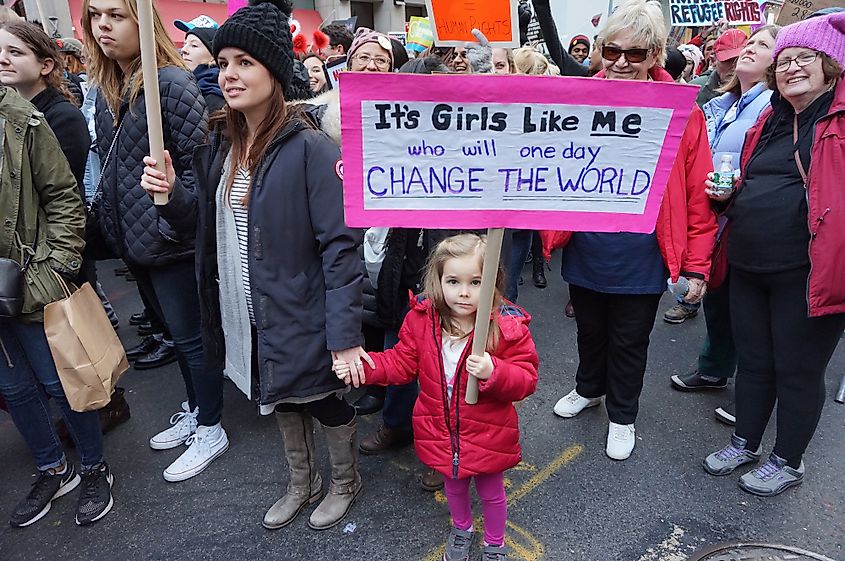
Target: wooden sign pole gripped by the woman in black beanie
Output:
{"points": [[152, 99]]}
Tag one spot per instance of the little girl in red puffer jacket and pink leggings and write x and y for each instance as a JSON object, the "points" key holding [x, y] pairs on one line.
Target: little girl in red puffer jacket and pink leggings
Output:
{"points": [[461, 441]]}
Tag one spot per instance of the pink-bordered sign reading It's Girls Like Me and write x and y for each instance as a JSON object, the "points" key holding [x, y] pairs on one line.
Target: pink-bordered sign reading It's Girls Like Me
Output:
{"points": [[528, 152]]}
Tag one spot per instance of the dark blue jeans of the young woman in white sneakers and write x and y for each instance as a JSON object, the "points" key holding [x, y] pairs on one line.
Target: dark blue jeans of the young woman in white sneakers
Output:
{"points": [[171, 290]]}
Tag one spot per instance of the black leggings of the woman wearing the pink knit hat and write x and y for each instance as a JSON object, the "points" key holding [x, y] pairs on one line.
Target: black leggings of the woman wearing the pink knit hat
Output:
{"points": [[782, 355]]}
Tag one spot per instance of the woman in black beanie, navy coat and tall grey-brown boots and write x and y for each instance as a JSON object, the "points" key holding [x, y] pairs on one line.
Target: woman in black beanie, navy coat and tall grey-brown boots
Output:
{"points": [[279, 272]]}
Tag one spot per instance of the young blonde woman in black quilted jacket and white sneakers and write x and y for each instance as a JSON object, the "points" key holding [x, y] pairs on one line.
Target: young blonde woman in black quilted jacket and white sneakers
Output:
{"points": [[155, 241]]}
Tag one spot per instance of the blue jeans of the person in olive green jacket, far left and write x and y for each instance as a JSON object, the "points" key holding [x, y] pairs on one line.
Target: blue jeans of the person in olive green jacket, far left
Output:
{"points": [[28, 377]]}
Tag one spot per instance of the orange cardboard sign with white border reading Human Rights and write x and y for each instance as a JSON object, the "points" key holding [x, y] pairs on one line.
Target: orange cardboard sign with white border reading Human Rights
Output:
{"points": [[454, 21]]}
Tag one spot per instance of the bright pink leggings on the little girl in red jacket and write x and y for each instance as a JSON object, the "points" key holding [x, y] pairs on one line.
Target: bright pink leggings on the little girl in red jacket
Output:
{"points": [[494, 504]]}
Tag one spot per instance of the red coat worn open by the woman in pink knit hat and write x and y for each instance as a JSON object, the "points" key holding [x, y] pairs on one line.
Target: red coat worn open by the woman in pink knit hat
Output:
{"points": [[825, 206]]}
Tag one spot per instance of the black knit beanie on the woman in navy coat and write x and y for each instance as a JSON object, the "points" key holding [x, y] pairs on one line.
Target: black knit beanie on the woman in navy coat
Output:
{"points": [[262, 29]]}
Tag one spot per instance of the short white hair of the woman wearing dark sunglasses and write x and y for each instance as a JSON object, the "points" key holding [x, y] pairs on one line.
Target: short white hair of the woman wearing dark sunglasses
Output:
{"points": [[644, 19]]}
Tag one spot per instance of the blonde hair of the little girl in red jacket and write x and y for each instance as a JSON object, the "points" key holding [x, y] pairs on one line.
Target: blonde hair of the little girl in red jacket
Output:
{"points": [[456, 247]]}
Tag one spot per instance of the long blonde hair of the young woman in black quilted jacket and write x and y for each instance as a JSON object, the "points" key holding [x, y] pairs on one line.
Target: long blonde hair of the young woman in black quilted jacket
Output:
{"points": [[107, 74]]}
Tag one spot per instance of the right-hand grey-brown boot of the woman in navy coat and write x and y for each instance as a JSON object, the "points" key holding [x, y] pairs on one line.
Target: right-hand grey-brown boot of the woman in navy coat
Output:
{"points": [[346, 481]]}
